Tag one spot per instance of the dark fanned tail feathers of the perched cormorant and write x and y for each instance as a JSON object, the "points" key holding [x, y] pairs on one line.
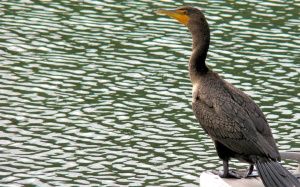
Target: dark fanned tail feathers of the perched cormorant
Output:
{"points": [[274, 175]]}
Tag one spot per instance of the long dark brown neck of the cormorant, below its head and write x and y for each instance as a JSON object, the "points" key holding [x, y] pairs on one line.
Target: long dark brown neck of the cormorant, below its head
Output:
{"points": [[201, 39]]}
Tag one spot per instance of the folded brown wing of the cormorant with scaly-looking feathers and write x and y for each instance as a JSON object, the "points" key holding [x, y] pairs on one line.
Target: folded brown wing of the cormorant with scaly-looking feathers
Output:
{"points": [[231, 117]]}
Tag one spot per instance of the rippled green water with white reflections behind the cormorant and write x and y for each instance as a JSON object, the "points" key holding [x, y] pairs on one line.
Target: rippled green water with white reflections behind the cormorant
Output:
{"points": [[96, 93]]}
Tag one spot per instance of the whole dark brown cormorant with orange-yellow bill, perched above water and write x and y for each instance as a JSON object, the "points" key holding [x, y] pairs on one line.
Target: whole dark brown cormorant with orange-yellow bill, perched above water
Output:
{"points": [[231, 118]]}
